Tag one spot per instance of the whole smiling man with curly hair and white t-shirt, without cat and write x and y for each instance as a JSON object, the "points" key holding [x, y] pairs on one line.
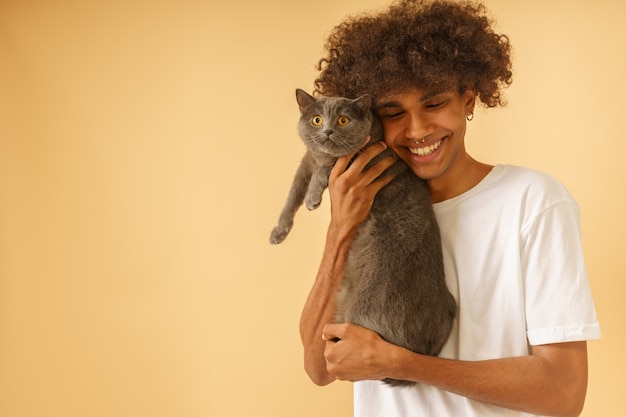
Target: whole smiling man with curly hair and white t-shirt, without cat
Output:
{"points": [[510, 236]]}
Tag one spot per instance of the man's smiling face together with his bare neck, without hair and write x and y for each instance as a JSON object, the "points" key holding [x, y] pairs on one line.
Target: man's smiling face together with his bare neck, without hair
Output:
{"points": [[436, 154]]}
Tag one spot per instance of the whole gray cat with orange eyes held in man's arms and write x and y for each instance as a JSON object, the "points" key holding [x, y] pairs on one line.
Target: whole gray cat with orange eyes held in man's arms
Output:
{"points": [[394, 281]]}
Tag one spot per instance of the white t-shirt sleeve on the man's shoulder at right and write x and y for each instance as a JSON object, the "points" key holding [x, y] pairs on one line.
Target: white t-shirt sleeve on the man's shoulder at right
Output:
{"points": [[559, 305]]}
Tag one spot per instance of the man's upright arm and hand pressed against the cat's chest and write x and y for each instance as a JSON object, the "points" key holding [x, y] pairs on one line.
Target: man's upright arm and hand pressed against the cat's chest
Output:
{"points": [[352, 193]]}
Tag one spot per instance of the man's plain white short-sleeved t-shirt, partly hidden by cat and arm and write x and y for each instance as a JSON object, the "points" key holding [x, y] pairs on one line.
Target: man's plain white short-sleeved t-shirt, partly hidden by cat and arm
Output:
{"points": [[514, 263]]}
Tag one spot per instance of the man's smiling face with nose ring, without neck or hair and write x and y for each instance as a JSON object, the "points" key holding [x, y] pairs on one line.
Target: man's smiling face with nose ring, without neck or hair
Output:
{"points": [[426, 129]]}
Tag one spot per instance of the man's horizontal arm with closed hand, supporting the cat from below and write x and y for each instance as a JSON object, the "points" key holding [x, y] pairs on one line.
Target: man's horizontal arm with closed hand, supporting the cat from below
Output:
{"points": [[552, 380]]}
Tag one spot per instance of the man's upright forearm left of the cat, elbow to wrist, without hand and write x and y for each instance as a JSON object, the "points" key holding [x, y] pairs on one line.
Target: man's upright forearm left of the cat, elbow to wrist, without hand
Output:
{"points": [[319, 308]]}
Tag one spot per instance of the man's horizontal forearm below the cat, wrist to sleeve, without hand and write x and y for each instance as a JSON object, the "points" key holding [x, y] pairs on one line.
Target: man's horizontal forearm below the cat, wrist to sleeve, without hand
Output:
{"points": [[551, 381]]}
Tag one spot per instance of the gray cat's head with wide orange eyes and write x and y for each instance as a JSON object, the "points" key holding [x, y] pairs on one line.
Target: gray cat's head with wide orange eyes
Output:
{"points": [[334, 126]]}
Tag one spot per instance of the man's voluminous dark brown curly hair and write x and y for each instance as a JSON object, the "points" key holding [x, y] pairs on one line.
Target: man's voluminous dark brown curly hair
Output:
{"points": [[414, 44]]}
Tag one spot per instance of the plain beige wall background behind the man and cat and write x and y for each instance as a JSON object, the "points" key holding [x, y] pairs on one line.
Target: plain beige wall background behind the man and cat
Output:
{"points": [[146, 148]]}
